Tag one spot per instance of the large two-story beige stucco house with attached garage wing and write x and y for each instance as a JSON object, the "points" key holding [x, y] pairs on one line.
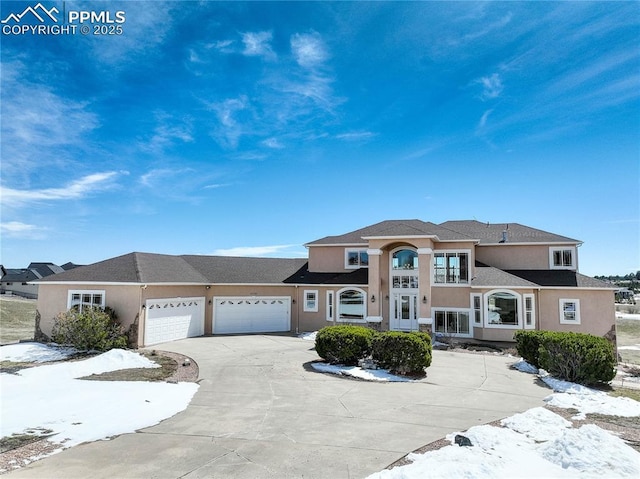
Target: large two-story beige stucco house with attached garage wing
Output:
{"points": [[463, 279]]}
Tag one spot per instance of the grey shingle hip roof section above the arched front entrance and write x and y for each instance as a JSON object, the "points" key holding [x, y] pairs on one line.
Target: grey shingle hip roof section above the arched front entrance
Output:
{"points": [[393, 228]]}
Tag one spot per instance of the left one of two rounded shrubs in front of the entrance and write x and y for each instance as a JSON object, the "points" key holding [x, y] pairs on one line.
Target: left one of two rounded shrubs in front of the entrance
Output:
{"points": [[344, 344]]}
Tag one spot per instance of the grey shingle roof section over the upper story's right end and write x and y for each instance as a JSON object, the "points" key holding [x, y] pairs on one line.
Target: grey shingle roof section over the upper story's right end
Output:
{"points": [[516, 233]]}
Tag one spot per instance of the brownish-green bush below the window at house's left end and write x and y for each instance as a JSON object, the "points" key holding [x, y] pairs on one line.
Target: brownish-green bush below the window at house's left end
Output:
{"points": [[91, 329]]}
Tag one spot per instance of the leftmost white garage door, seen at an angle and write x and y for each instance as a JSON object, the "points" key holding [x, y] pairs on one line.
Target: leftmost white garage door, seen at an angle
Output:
{"points": [[168, 319]]}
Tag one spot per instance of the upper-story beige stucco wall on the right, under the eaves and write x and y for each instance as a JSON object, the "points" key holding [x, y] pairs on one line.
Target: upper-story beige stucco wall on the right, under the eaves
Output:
{"points": [[506, 256]]}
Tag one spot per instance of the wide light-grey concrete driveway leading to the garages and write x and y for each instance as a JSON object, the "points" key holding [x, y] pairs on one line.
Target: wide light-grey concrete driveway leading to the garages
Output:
{"points": [[261, 412]]}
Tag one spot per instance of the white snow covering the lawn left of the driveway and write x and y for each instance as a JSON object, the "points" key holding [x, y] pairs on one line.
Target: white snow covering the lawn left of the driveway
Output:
{"points": [[52, 397]]}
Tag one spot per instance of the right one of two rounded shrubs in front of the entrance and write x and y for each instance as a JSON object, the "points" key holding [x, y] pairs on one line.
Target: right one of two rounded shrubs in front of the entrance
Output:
{"points": [[403, 353]]}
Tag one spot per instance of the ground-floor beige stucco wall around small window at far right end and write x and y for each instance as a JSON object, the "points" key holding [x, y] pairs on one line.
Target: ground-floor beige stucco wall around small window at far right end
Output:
{"points": [[597, 310]]}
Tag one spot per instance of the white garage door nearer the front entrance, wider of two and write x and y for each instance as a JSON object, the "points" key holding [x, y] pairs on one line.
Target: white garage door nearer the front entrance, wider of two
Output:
{"points": [[251, 314]]}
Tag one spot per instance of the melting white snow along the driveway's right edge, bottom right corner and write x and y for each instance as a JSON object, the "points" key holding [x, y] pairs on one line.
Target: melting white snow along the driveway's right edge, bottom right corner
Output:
{"points": [[537, 443]]}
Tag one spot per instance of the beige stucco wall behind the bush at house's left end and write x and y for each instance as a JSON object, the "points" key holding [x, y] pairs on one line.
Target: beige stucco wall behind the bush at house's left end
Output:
{"points": [[52, 299]]}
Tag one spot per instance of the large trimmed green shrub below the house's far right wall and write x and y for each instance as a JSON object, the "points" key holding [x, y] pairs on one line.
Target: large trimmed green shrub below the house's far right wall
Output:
{"points": [[577, 357]]}
